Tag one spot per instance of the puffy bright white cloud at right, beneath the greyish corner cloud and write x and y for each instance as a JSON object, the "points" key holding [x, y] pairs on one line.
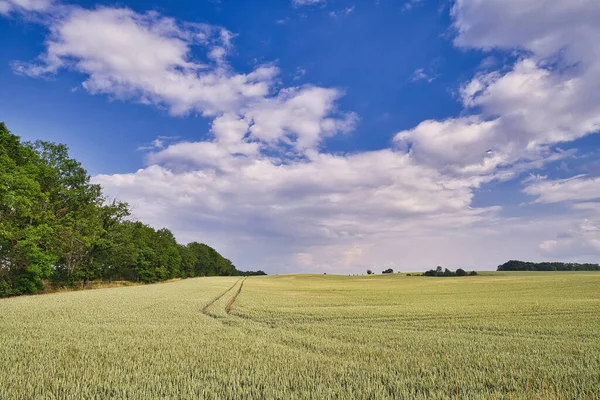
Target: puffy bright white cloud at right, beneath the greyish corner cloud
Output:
{"points": [[522, 113]]}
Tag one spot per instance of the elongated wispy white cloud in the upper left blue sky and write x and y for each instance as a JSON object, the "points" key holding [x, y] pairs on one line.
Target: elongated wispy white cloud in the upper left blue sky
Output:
{"points": [[146, 57]]}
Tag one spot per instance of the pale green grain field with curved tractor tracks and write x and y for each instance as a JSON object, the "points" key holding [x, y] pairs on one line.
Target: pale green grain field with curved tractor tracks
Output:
{"points": [[500, 335]]}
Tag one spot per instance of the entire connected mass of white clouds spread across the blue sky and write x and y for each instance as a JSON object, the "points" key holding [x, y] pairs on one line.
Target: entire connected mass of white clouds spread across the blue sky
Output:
{"points": [[264, 189]]}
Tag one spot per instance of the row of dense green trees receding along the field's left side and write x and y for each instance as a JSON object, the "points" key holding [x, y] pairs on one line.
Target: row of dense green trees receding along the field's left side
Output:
{"points": [[56, 228]]}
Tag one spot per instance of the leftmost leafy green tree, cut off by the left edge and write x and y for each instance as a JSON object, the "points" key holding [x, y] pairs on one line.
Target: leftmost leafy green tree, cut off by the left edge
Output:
{"points": [[26, 225]]}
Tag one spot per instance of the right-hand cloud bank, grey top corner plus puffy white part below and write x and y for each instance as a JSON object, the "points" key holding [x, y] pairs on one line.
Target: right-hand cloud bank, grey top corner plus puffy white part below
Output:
{"points": [[550, 96]]}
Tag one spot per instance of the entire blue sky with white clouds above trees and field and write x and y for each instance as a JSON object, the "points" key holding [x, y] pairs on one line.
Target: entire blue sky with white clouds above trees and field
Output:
{"points": [[326, 135]]}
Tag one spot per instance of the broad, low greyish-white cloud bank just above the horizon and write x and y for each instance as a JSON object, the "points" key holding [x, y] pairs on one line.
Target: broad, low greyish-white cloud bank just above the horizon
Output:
{"points": [[324, 205]]}
